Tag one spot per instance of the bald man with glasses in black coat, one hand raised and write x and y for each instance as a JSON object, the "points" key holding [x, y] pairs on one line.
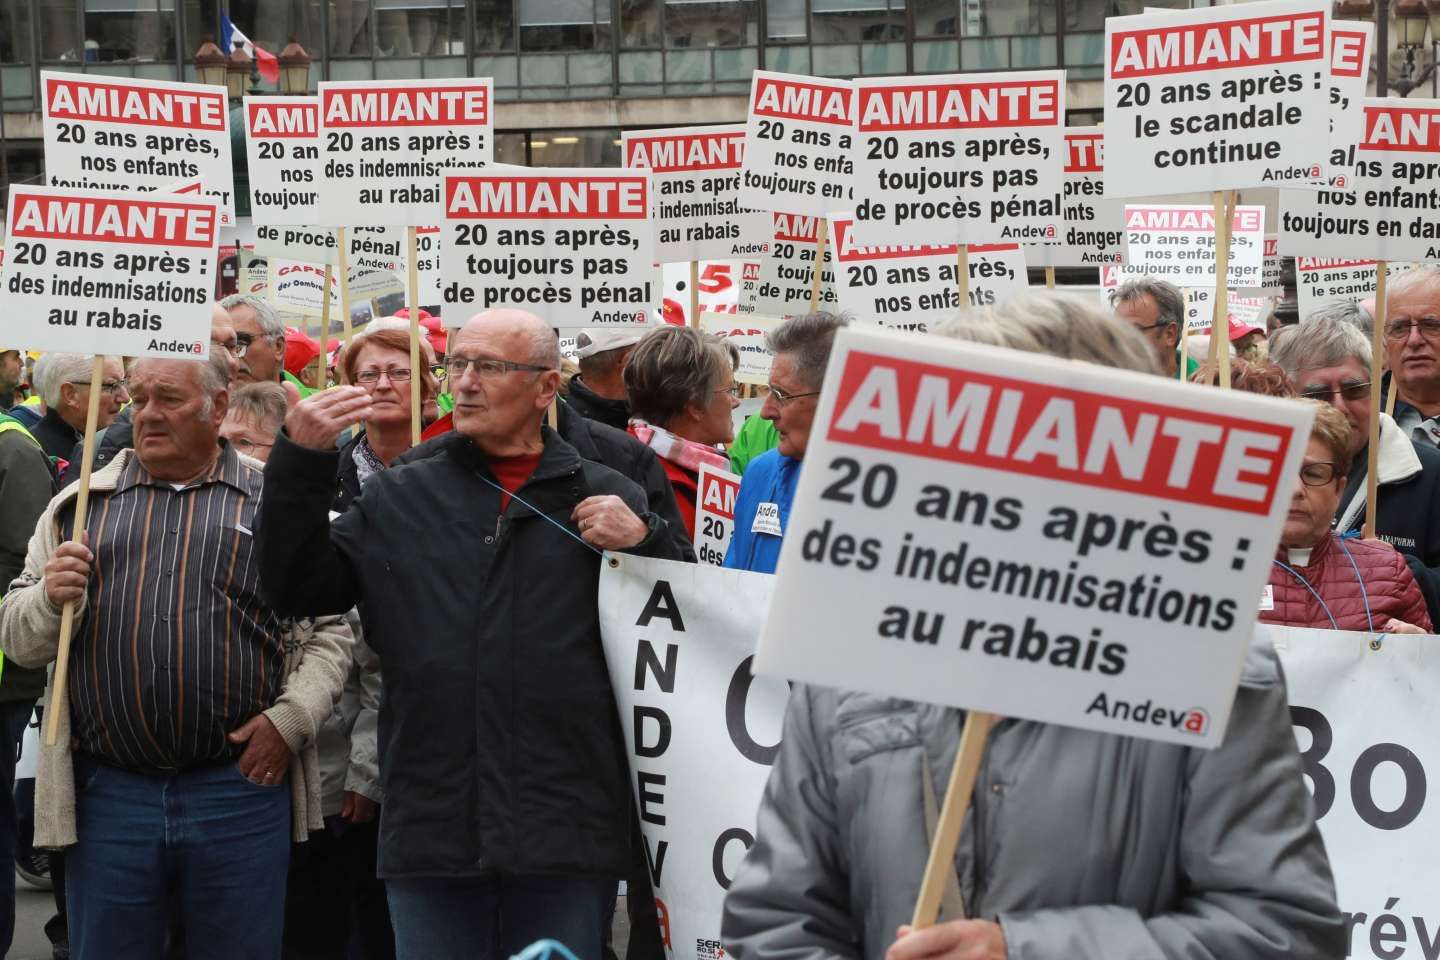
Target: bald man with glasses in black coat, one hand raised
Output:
{"points": [[476, 571]]}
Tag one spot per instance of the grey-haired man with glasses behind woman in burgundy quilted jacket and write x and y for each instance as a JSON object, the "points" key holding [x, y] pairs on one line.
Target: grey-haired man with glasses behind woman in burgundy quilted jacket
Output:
{"points": [[1328, 361]]}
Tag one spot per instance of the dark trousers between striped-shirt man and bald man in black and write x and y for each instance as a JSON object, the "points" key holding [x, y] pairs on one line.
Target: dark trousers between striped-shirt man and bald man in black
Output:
{"points": [[335, 905]]}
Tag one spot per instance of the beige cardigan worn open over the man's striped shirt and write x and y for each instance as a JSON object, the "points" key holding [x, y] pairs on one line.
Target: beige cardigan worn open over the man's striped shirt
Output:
{"points": [[318, 658]]}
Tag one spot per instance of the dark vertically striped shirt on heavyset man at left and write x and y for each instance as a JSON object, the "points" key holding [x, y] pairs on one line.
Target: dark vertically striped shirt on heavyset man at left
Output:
{"points": [[176, 648]]}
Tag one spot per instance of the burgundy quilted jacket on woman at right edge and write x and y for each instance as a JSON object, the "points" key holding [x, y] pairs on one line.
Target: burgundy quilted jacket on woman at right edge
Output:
{"points": [[1385, 579]]}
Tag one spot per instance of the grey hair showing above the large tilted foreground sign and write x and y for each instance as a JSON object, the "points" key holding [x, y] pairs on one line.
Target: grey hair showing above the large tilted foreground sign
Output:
{"points": [[1061, 326]]}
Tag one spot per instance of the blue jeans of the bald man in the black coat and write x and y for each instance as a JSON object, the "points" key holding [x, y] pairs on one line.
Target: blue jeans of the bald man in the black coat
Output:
{"points": [[498, 918]]}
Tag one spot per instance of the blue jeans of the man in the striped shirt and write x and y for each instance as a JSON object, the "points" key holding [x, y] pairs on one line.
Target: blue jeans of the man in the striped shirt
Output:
{"points": [[208, 841]]}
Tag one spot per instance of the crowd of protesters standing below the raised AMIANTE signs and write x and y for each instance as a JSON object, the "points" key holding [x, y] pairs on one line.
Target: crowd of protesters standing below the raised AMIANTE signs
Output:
{"points": [[338, 696]]}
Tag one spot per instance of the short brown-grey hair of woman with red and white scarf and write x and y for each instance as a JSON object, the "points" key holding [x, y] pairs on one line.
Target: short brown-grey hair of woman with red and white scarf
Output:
{"points": [[675, 368]]}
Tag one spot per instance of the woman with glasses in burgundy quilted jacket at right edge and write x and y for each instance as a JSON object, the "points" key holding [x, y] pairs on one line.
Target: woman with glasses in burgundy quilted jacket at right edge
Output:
{"points": [[1321, 579]]}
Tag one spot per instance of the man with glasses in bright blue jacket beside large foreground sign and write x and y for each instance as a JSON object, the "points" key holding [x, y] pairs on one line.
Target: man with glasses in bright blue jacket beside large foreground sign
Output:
{"points": [[762, 510]]}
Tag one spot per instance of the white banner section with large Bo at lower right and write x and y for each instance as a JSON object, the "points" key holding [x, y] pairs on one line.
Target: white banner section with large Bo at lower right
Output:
{"points": [[1363, 723]]}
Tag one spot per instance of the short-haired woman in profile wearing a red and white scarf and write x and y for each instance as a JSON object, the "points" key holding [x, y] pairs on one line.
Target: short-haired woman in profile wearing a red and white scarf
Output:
{"points": [[682, 391]]}
